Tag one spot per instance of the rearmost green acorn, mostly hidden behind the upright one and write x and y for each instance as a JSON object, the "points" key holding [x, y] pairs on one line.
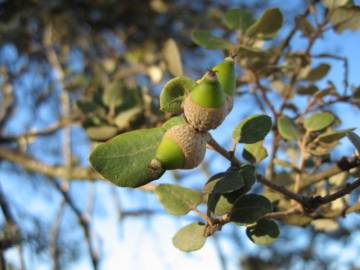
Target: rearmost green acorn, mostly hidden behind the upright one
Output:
{"points": [[225, 72]]}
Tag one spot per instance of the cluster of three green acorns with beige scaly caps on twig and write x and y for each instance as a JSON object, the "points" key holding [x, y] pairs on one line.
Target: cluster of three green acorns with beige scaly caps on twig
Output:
{"points": [[209, 102]]}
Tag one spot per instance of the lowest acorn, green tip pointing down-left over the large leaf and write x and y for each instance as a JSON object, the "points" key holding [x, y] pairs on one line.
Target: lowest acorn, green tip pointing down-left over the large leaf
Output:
{"points": [[181, 147]]}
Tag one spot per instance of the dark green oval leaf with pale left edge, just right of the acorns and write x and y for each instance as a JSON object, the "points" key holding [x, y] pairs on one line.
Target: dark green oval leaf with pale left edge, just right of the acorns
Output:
{"points": [[252, 129]]}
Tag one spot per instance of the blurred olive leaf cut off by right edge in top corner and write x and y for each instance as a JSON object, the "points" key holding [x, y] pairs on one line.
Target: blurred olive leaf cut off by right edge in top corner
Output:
{"points": [[345, 18]]}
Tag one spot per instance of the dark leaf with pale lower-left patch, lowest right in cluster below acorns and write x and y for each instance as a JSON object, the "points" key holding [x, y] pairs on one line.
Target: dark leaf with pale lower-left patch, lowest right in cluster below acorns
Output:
{"points": [[264, 232]]}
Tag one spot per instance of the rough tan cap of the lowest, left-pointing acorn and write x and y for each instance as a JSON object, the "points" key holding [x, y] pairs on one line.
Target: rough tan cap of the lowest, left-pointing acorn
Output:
{"points": [[192, 143]]}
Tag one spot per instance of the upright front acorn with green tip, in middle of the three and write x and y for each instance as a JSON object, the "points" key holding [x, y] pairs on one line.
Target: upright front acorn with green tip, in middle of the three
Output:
{"points": [[205, 107]]}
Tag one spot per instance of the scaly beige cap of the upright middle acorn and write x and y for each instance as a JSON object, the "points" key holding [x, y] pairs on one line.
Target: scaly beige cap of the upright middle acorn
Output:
{"points": [[203, 119]]}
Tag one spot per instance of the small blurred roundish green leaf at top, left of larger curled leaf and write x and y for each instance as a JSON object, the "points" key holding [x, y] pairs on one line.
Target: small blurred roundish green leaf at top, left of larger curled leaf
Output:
{"points": [[238, 18]]}
